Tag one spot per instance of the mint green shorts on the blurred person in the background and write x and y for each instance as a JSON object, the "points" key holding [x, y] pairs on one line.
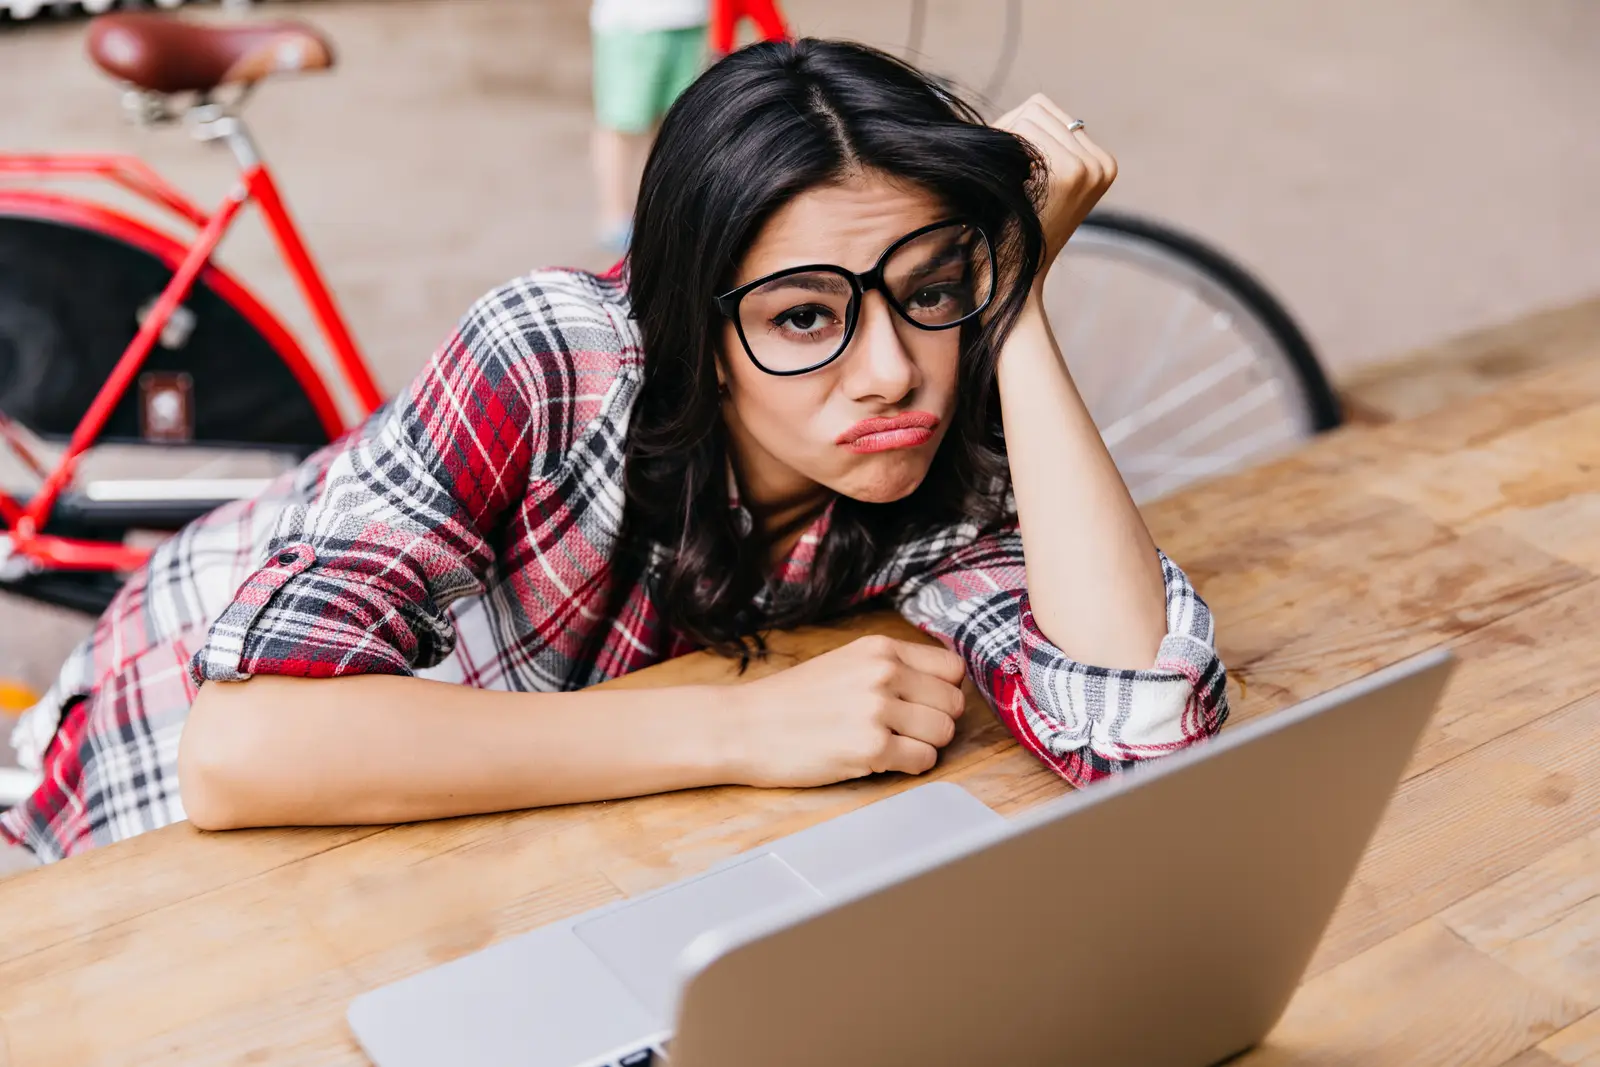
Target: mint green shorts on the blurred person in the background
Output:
{"points": [[639, 74]]}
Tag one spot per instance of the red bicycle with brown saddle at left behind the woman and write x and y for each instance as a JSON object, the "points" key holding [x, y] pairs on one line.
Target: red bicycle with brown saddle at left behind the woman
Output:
{"points": [[127, 342]]}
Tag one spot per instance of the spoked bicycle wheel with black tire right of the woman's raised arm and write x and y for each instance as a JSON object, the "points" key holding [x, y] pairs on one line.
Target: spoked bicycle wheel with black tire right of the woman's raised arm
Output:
{"points": [[1190, 367]]}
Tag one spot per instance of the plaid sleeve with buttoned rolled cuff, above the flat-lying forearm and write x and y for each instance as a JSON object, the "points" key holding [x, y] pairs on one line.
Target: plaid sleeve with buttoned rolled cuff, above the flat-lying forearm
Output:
{"points": [[359, 578]]}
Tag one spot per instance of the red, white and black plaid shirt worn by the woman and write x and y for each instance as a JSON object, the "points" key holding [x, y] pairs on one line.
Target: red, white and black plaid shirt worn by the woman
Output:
{"points": [[465, 533]]}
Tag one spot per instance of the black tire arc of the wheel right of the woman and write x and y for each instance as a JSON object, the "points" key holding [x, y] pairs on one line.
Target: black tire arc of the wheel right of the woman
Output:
{"points": [[1289, 342]]}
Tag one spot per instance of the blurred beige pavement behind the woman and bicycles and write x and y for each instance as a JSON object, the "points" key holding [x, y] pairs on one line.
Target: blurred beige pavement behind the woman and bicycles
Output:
{"points": [[1415, 182]]}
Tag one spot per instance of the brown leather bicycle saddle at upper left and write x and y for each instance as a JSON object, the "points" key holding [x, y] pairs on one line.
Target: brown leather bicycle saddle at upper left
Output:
{"points": [[169, 55]]}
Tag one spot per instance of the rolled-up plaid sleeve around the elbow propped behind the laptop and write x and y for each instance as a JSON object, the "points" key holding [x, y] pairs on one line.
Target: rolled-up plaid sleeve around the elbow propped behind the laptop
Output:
{"points": [[1084, 722]]}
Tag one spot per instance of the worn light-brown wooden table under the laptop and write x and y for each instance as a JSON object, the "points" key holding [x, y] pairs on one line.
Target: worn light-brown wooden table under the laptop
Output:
{"points": [[1470, 937]]}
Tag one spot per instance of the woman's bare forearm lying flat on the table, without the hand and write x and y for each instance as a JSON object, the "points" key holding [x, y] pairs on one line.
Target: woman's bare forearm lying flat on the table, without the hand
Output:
{"points": [[391, 749]]}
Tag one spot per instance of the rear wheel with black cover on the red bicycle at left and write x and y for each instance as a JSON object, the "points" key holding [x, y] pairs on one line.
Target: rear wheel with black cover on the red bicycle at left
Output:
{"points": [[212, 417]]}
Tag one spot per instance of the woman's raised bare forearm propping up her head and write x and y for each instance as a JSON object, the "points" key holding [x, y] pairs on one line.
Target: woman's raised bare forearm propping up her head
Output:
{"points": [[1094, 575]]}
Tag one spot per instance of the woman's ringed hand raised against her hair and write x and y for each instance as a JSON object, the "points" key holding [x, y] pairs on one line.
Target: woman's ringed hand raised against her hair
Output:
{"points": [[1081, 172]]}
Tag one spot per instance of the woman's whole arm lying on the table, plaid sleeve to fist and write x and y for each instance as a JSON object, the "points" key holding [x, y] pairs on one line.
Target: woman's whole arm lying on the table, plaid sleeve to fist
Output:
{"points": [[308, 711]]}
